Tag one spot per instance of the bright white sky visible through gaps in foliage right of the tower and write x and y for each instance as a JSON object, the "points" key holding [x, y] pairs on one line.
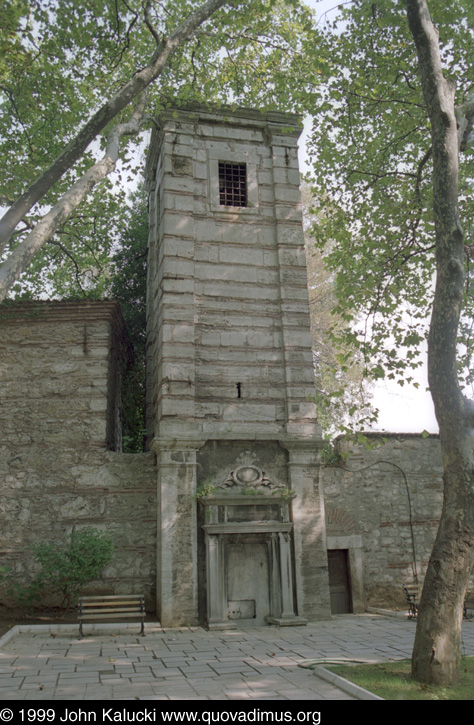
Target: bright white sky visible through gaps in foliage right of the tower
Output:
{"points": [[401, 409]]}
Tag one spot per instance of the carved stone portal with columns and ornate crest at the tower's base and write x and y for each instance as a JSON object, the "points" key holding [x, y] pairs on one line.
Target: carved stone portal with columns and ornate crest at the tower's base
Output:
{"points": [[249, 578]]}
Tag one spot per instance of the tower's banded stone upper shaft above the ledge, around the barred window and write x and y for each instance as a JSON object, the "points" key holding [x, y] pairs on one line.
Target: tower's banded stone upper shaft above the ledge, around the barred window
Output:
{"points": [[234, 308]]}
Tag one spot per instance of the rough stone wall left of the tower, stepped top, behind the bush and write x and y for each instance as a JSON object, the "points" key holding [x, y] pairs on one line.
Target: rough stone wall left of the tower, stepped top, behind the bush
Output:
{"points": [[60, 460]]}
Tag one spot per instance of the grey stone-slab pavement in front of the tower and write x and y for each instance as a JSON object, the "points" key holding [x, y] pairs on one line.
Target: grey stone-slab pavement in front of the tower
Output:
{"points": [[114, 663]]}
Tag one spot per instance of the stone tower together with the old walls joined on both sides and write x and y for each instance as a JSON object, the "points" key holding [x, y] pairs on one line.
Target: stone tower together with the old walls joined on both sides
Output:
{"points": [[229, 516]]}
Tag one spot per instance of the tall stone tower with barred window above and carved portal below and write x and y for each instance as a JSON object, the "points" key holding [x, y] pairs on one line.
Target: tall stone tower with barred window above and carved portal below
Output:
{"points": [[241, 534]]}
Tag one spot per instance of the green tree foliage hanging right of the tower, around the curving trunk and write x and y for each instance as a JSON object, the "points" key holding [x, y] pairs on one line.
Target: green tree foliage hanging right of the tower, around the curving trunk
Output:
{"points": [[372, 170]]}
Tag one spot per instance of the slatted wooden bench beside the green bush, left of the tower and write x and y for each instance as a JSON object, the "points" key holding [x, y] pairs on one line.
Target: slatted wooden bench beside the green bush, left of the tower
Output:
{"points": [[120, 606]]}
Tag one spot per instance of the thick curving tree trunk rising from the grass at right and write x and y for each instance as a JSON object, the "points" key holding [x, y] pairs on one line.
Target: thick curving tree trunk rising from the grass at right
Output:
{"points": [[436, 653]]}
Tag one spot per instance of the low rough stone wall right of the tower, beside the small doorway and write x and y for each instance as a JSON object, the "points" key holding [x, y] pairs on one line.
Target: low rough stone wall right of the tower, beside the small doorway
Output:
{"points": [[384, 511]]}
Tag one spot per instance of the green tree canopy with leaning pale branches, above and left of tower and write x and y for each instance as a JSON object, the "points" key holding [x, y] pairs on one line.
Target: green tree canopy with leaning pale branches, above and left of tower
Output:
{"points": [[73, 76]]}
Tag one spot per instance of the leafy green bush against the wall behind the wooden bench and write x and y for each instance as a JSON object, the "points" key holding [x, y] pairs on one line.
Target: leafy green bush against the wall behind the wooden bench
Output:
{"points": [[65, 569]]}
